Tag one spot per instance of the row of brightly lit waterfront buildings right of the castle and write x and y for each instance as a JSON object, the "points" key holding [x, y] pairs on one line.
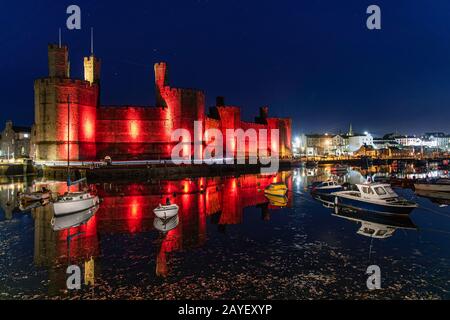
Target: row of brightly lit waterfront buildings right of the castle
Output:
{"points": [[359, 144]]}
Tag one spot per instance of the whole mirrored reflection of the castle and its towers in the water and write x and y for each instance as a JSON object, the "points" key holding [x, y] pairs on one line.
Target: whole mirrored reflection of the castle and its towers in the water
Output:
{"points": [[128, 208]]}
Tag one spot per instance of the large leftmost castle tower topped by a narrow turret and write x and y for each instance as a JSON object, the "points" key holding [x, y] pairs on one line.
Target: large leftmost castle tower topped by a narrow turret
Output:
{"points": [[51, 112]]}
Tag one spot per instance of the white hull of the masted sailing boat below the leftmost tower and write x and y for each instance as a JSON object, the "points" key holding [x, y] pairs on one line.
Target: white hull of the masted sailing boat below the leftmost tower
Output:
{"points": [[74, 202]]}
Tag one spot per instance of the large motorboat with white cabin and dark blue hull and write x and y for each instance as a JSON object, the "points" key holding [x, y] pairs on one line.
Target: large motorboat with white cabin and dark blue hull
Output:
{"points": [[374, 197]]}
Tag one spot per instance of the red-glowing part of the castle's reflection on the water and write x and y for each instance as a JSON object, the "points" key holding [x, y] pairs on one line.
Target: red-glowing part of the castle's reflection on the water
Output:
{"points": [[128, 208]]}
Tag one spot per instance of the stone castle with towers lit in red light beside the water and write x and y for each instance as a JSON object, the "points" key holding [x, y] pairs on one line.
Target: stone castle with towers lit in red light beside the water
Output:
{"points": [[124, 132]]}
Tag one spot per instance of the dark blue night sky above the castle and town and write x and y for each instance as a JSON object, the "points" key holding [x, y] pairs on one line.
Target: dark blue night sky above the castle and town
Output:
{"points": [[314, 61]]}
